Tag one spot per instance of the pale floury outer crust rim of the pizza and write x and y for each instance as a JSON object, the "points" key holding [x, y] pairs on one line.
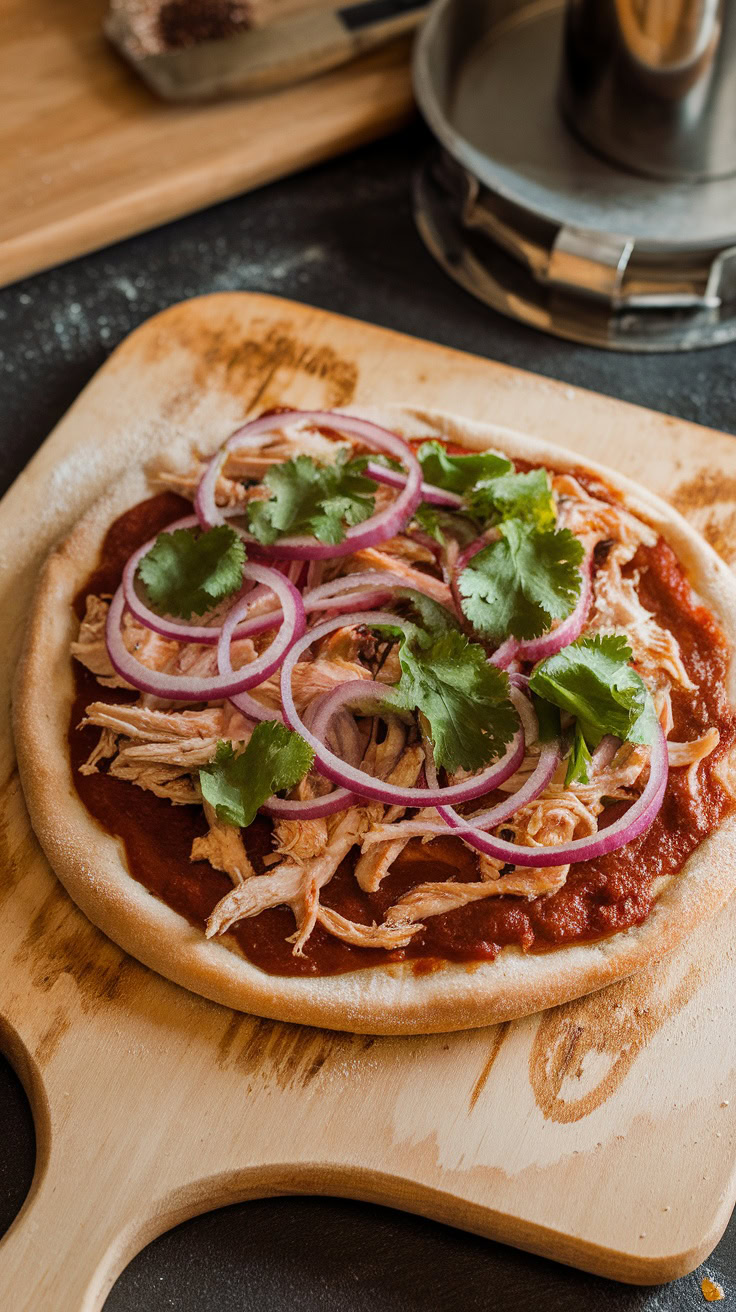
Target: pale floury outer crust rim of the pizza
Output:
{"points": [[380, 1000]]}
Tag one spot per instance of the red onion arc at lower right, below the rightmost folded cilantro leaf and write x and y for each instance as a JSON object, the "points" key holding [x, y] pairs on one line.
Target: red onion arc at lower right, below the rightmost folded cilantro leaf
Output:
{"points": [[633, 823]]}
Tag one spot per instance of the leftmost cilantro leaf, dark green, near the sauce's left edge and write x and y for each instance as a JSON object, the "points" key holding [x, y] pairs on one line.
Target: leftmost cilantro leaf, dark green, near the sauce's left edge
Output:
{"points": [[188, 573]]}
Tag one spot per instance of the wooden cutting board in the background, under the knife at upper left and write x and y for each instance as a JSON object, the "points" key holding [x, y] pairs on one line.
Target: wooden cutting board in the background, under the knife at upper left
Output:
{"points": [[90, 155]]}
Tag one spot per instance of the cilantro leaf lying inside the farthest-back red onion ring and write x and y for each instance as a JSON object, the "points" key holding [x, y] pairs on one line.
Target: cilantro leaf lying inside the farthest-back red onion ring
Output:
{"points": [[314, 499]]}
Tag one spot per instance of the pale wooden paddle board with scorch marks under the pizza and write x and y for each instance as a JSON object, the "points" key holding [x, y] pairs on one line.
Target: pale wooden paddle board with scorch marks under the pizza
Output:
{"points": [[602, 1134]]}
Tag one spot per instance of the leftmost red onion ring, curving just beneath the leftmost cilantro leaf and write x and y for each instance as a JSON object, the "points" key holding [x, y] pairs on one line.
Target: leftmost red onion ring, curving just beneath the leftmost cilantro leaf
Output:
{"points": [[208, 688]]}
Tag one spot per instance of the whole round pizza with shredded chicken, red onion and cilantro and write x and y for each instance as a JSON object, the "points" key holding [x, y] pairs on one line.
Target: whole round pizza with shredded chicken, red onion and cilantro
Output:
{"points": [[385, 722]]}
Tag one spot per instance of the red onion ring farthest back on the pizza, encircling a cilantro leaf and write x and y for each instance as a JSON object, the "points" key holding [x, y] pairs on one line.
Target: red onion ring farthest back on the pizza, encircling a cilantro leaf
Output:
{"points": [[381, 527]]}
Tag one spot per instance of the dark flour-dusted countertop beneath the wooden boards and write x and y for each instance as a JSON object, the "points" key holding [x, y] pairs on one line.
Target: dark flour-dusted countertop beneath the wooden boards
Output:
{"points": [[339, 237]]}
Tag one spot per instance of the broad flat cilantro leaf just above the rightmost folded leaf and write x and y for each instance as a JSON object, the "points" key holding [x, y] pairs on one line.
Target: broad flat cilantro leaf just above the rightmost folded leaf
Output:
{"points": [[521, 583]]}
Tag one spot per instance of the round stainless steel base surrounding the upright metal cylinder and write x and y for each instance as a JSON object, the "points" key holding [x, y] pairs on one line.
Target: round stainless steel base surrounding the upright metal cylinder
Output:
{"points": [[528, 220]]}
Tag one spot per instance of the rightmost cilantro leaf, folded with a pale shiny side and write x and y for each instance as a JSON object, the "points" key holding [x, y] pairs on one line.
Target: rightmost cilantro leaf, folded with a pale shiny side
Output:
{"points": [[594, 682]]}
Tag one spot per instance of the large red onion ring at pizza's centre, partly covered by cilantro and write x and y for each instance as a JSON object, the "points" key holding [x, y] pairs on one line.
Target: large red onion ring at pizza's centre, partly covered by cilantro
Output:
{"points": [[359, 781]]}
